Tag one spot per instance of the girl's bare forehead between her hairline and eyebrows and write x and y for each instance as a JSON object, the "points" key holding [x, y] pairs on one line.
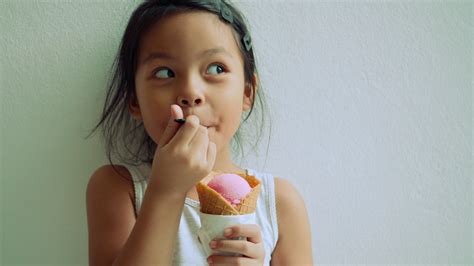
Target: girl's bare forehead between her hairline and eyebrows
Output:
{"points": [[188, 33]]}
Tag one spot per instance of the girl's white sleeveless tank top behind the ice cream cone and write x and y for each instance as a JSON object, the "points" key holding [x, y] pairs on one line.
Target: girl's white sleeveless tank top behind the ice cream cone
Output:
{"points": [[188, 250]]}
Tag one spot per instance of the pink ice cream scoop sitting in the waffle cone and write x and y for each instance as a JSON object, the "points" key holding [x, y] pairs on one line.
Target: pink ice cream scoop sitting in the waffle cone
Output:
{"points": [[232, 187]]}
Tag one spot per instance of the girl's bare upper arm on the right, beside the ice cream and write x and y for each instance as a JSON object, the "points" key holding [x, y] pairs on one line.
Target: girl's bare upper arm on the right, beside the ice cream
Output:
{"points": [[294, 238]]}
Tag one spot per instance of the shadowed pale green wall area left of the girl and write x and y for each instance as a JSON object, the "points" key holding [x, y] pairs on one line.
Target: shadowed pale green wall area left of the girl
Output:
{"points": [[55, 59]]}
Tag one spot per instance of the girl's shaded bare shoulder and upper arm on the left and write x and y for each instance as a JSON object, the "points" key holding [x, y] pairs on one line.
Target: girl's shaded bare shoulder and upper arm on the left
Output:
{"points": [[110, 212]]}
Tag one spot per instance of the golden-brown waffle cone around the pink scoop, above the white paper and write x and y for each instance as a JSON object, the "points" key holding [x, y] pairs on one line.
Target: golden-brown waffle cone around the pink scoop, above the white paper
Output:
{"points": [[213, 203]]}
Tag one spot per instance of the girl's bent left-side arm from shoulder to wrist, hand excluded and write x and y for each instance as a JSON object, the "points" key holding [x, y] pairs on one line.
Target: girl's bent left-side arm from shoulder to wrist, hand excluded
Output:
{"points": [[115, 238]]}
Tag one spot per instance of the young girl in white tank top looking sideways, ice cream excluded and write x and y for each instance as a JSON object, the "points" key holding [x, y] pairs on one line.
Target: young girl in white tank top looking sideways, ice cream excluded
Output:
{"points": [[190, 60]]}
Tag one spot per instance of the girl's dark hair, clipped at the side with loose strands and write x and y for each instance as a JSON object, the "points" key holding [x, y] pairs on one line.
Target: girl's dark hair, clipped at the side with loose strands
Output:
{"points": [[125, 137]]}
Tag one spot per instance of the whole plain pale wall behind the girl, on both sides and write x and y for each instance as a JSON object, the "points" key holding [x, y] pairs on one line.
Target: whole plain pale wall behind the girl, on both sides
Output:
{"points": [[372, 122]]}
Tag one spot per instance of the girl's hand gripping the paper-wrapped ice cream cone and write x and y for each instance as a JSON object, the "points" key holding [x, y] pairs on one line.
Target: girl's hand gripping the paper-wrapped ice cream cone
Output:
{"points": [[251, 249]]}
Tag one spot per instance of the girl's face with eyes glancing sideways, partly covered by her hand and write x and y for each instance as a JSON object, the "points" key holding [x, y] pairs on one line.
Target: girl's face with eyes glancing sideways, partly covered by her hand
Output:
{"points": [[191, 59]]}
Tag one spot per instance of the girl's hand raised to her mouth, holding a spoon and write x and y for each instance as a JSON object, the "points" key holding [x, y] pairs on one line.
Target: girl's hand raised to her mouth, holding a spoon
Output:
{"points": [[184, 155]]}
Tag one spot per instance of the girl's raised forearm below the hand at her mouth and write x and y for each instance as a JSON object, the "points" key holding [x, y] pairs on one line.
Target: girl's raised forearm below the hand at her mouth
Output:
{"points": [[153, 237]]}
